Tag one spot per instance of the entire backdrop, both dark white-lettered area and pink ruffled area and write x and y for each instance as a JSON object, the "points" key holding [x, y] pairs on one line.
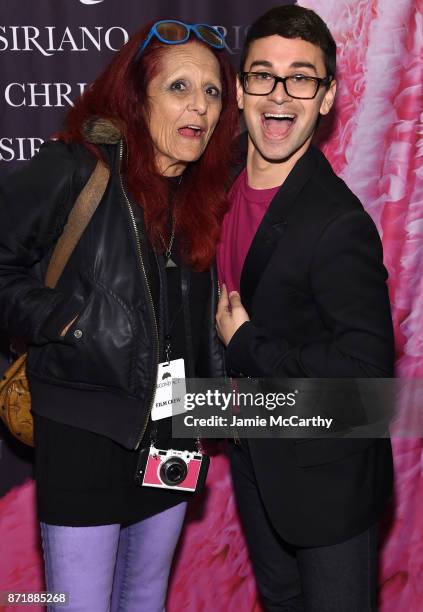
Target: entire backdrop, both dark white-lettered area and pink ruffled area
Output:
{"points": [[50, 50]]}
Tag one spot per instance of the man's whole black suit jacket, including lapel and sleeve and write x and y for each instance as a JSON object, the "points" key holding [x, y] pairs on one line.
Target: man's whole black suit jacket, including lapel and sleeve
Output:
{"points": [[314, 286]]}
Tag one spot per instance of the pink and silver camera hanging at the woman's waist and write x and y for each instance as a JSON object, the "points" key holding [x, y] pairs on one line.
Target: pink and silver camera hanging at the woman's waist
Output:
{"points": [[172, 469]]}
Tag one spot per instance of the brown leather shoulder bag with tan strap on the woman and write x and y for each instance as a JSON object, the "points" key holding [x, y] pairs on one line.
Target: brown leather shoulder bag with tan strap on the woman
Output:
{"points": [[15, 397]]}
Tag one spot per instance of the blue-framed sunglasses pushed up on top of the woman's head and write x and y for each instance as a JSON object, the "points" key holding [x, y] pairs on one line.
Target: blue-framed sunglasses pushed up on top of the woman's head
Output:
{"points": [[174, 32]]}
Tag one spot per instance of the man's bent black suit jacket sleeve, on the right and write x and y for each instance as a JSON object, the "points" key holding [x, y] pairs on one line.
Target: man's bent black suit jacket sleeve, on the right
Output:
{"points": [[348, 282]]}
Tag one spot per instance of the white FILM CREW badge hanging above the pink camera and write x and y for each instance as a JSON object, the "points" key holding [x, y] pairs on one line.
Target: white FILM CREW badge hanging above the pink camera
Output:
{"points": [[170, 390]]}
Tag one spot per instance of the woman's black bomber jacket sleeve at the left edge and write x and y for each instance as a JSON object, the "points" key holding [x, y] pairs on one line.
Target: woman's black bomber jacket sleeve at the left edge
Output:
{"points": [[34, 203]]}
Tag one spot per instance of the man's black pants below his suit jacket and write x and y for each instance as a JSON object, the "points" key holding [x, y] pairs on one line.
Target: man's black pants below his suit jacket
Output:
{"points": [[337, 578]]}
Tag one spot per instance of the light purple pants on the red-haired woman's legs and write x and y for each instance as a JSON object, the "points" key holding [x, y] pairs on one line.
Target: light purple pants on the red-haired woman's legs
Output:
{"points": [[122, 569]]}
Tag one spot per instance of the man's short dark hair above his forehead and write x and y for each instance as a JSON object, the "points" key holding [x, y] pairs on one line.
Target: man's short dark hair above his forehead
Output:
{"points": [[294, 22]]}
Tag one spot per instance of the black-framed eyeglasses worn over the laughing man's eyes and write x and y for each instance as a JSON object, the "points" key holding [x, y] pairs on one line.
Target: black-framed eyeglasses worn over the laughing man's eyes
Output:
{"points": [[296, 86]]}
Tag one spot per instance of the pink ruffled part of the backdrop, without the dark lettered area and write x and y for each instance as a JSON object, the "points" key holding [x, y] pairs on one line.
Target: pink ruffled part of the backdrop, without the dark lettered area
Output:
{"points": [[376, 146]]}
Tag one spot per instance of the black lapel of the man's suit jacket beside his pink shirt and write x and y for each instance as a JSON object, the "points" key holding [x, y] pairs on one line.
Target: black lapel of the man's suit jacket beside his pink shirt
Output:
{"points": [[273, 225]]}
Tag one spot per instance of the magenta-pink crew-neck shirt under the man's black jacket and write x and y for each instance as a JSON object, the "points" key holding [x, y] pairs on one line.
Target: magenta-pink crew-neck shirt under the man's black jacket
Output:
{"points": [[247, 210]]}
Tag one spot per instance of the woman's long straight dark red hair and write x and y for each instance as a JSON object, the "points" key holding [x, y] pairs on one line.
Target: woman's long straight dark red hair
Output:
{"points": [[120, 95]]}
